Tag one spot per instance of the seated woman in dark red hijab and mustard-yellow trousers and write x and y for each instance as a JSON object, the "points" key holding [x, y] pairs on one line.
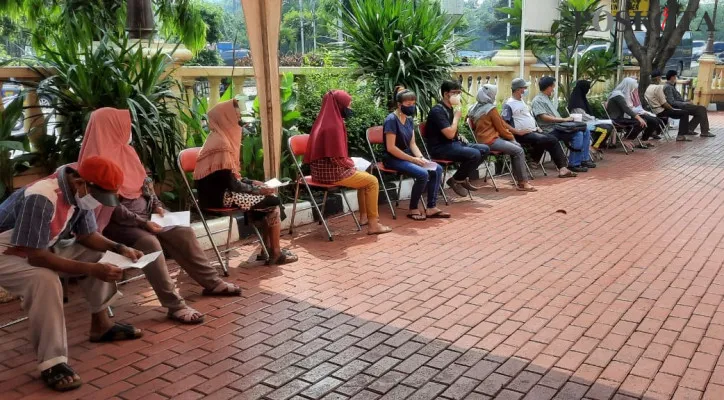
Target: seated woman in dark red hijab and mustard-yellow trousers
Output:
{"points": [[328, 156]]}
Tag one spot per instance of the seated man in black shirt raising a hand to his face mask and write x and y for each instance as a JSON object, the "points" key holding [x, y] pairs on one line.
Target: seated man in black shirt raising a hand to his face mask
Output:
{"points": [[444, 142]]}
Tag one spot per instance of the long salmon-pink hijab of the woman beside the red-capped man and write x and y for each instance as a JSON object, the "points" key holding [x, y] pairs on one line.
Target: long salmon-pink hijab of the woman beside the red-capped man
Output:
{"points": [[108, 135]]}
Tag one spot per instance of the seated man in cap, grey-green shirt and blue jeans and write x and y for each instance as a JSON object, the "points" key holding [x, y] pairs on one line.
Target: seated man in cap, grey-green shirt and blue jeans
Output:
{"points": [[547, 116]]}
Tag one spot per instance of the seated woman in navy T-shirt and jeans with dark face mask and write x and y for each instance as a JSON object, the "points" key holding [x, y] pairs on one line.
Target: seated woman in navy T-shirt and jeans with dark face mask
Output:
{"points": [[403, 155]]}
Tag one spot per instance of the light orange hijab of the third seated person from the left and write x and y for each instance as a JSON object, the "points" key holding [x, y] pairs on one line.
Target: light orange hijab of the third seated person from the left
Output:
{"points": [[223, 145]]}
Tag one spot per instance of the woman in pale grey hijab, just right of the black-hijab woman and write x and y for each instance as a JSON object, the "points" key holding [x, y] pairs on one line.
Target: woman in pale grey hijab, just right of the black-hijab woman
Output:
{"points": [[624, 108]]}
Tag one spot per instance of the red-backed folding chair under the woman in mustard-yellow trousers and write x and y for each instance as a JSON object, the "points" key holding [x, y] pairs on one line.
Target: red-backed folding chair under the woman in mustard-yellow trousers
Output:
{"points": [[297, 147]]}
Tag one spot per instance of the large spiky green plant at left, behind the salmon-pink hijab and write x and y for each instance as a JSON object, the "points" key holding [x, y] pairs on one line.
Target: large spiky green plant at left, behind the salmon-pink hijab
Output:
{"points": [[111, 73]]}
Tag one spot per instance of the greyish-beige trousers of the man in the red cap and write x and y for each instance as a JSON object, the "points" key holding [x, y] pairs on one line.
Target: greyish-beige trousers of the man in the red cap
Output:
{"points": [[43, 299]]}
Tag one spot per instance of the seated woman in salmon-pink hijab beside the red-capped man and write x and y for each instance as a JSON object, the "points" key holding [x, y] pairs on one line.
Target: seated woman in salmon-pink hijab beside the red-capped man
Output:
{"points": [[108, 135]]}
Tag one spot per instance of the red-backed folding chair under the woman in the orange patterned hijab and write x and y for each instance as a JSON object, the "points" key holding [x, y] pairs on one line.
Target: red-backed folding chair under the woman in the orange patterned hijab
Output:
{"points": [[187, 164]]}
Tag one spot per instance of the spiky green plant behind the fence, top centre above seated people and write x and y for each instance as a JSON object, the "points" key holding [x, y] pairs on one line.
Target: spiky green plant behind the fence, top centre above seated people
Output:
{"points": [[401, 43]]}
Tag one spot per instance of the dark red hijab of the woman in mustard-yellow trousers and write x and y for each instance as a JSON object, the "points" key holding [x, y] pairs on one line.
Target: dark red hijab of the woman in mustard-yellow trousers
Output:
{"points": [[328, 137]]}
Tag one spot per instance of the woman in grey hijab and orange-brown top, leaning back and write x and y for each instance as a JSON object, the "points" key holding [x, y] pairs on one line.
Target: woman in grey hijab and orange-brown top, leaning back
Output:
{"points": [[490, 129]]}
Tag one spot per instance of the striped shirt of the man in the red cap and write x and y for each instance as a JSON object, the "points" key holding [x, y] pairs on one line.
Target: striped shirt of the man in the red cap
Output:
{"points": [[43, 213]]}
